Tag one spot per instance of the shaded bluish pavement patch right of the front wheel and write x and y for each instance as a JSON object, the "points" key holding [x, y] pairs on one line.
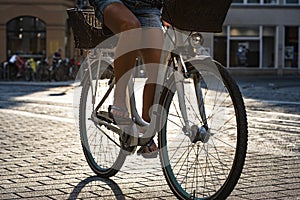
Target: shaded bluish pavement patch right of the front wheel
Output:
{"points": [[271, 93]]}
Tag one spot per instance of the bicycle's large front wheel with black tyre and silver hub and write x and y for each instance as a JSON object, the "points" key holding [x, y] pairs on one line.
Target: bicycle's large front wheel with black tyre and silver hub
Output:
{"points": [[205, 166]]}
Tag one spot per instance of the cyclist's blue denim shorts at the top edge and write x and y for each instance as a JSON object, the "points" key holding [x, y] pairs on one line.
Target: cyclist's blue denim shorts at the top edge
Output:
{"points": [[148, 12]]}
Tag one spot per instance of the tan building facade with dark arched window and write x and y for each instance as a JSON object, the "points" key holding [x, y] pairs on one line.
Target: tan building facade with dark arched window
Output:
{"points": [[33, 28]]}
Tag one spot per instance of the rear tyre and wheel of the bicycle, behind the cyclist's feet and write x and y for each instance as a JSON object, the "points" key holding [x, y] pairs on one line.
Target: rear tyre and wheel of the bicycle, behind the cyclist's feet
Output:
{"points": [[104, 157]]}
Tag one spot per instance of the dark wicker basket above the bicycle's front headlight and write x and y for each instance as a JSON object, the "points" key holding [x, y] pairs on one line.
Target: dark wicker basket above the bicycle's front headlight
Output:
{"points": [[196, 15]]}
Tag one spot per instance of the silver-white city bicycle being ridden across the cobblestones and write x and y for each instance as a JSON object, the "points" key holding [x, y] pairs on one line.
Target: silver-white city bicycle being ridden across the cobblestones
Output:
{"points": [[199, 117]]}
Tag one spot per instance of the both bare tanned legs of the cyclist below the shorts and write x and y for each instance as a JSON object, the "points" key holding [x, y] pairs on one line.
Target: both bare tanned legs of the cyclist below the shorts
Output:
{"points": [[119, 19]]}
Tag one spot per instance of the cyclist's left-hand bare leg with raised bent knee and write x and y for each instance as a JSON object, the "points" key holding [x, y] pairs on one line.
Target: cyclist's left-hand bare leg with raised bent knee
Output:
{"points": [[119, 19]]}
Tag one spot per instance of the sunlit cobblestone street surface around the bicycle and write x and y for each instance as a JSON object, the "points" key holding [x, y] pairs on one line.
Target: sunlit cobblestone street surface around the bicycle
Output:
{"points": [[41, 156]]}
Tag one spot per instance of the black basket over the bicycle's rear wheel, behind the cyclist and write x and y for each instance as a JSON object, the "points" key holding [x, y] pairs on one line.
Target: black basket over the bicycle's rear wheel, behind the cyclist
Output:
{"points": [[87, 30]]}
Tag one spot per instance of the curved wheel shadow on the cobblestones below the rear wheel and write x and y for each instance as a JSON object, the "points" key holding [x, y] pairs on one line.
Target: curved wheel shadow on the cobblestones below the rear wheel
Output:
{"points": [[101, 182]]}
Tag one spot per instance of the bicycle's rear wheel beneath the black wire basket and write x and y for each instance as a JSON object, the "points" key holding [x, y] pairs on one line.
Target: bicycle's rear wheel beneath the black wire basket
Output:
{"points": [[100, 144]]}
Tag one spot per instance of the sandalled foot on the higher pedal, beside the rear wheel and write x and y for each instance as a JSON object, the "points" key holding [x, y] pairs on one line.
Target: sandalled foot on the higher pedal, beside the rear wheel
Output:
{"points": [[120, 116]]}
